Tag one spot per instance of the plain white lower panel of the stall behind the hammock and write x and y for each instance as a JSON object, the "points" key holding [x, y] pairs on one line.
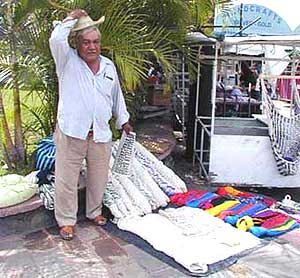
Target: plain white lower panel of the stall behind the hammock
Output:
{"points": [[246, 160]]}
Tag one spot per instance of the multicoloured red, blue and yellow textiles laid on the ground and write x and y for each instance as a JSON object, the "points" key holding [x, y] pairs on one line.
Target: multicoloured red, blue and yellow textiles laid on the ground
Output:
{"points": [[246, 211]]}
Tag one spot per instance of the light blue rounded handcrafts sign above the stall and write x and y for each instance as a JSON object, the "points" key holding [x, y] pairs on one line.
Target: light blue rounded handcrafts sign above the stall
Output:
{"points": [[270, 23]]}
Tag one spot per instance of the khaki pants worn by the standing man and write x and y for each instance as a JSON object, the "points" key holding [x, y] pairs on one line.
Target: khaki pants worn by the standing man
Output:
{"points": [[70, 153]]}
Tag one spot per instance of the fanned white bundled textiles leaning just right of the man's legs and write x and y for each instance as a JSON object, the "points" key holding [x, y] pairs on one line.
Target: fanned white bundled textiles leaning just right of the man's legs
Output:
{"points": [[145, 189]]}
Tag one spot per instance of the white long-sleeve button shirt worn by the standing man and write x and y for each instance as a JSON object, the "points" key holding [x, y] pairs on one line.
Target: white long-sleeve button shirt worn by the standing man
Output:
{"points": [[85, 99]]}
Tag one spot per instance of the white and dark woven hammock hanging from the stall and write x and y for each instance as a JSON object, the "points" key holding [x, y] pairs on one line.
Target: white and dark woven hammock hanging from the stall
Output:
{"points": [[284, 134]]}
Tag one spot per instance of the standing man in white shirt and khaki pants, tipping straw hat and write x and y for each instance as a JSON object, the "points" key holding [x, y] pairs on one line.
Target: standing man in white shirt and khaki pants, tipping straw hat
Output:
{"points": [[89, 95]]}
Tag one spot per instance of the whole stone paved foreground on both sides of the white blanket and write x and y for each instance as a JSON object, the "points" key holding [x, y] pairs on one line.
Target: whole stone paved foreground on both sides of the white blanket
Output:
{"points": [[95, 252]]}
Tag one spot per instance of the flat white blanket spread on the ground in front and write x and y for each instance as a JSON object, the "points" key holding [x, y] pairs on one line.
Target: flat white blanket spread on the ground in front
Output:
{"points": [[190, 236]]}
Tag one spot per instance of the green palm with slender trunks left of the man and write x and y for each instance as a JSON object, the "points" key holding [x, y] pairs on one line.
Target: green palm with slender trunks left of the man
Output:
{"points": [[25, 62]]}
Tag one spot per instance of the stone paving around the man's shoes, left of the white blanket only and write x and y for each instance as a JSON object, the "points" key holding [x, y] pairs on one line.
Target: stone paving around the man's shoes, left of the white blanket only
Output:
{"points": [[92, 253]]}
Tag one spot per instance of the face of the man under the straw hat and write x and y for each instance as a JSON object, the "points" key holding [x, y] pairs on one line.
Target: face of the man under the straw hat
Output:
{"points": [[88, 46]]}
